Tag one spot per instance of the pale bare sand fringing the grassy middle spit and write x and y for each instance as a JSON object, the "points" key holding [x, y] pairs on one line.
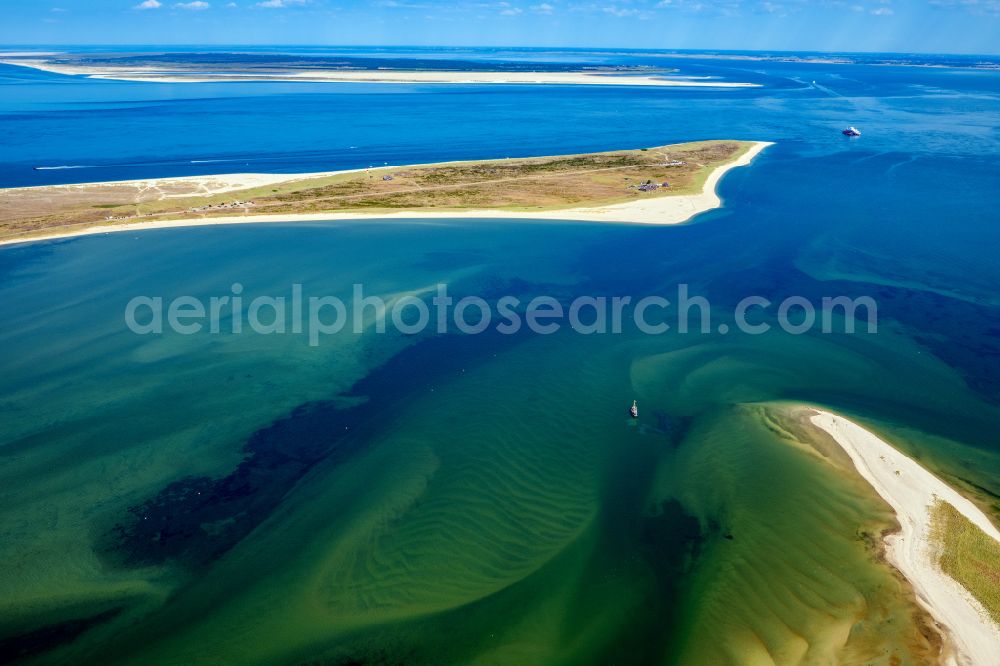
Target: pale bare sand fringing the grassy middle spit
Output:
{"points": [[663, 210]]}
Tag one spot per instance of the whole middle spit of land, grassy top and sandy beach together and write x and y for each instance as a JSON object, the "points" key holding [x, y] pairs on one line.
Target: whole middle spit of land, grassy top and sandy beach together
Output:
{"points": [[657, 185]]}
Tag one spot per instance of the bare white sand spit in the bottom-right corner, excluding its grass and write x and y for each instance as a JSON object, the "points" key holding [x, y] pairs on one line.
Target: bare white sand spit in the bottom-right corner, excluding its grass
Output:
{"points": [[911, 491]]}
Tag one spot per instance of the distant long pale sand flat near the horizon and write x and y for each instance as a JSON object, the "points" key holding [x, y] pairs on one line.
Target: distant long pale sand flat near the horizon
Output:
{"points": [[166, 75]]}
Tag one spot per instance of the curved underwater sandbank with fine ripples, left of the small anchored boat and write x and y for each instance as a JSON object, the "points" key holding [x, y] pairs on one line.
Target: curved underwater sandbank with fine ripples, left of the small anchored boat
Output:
{"points": [[503, 502]]}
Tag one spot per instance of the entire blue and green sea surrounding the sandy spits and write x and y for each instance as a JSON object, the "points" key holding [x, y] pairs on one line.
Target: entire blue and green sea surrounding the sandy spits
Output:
{"points": [[454, 499]]}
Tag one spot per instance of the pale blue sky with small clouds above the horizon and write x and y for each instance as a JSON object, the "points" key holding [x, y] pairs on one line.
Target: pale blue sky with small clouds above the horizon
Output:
{"points": [[938, 26]]}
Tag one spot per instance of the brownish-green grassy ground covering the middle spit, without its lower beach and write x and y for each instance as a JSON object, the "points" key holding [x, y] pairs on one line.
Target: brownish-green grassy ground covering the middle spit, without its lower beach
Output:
{"points": [[522, 184]]}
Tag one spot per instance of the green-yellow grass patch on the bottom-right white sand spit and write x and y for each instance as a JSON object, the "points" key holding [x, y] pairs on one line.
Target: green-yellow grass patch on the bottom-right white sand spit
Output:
{"points": [[968, 555]]}
